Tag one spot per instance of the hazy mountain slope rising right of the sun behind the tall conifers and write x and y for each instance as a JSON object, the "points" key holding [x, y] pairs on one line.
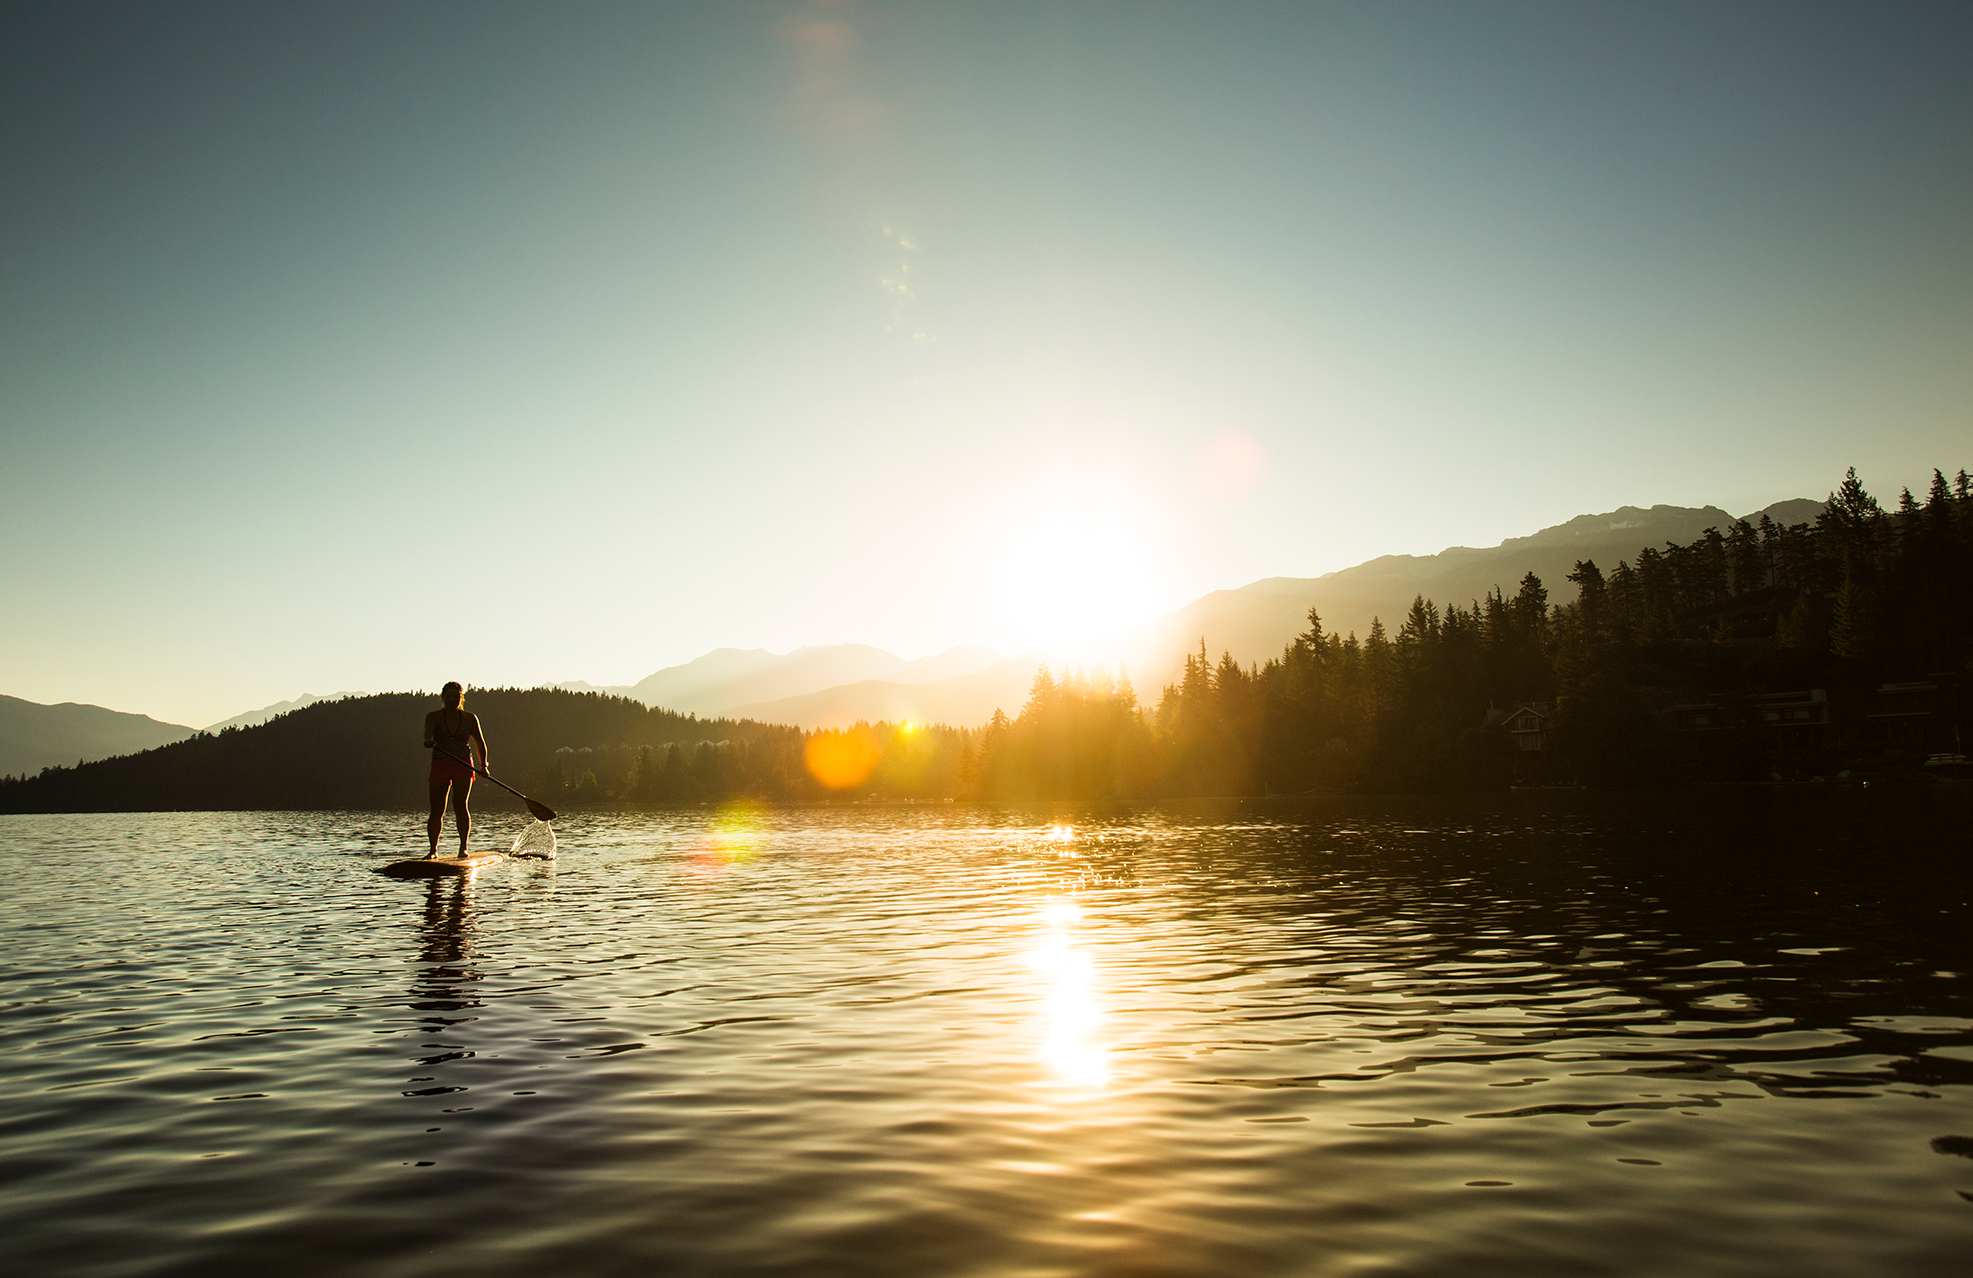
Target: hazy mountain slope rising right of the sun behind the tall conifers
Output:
{"points": [[1258, 620]]}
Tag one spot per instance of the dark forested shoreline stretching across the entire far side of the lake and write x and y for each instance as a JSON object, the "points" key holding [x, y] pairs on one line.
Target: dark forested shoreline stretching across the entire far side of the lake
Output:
{"points": [[1858, 599]]}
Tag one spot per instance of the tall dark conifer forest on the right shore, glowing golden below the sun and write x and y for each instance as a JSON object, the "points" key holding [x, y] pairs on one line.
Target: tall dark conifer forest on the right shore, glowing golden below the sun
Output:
{"points": [[1860, 599]]}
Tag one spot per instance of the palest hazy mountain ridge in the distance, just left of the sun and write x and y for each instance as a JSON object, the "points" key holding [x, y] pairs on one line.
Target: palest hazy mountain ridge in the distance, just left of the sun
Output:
{"points": [[725, 679]]}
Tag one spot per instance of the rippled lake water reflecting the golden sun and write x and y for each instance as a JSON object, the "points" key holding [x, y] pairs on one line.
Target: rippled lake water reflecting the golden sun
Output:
{"points": [[1540, 1034]]}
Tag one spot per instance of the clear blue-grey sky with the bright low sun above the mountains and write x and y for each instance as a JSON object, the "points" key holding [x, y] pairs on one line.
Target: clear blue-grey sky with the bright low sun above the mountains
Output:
{"points": [[374, 346]]}
